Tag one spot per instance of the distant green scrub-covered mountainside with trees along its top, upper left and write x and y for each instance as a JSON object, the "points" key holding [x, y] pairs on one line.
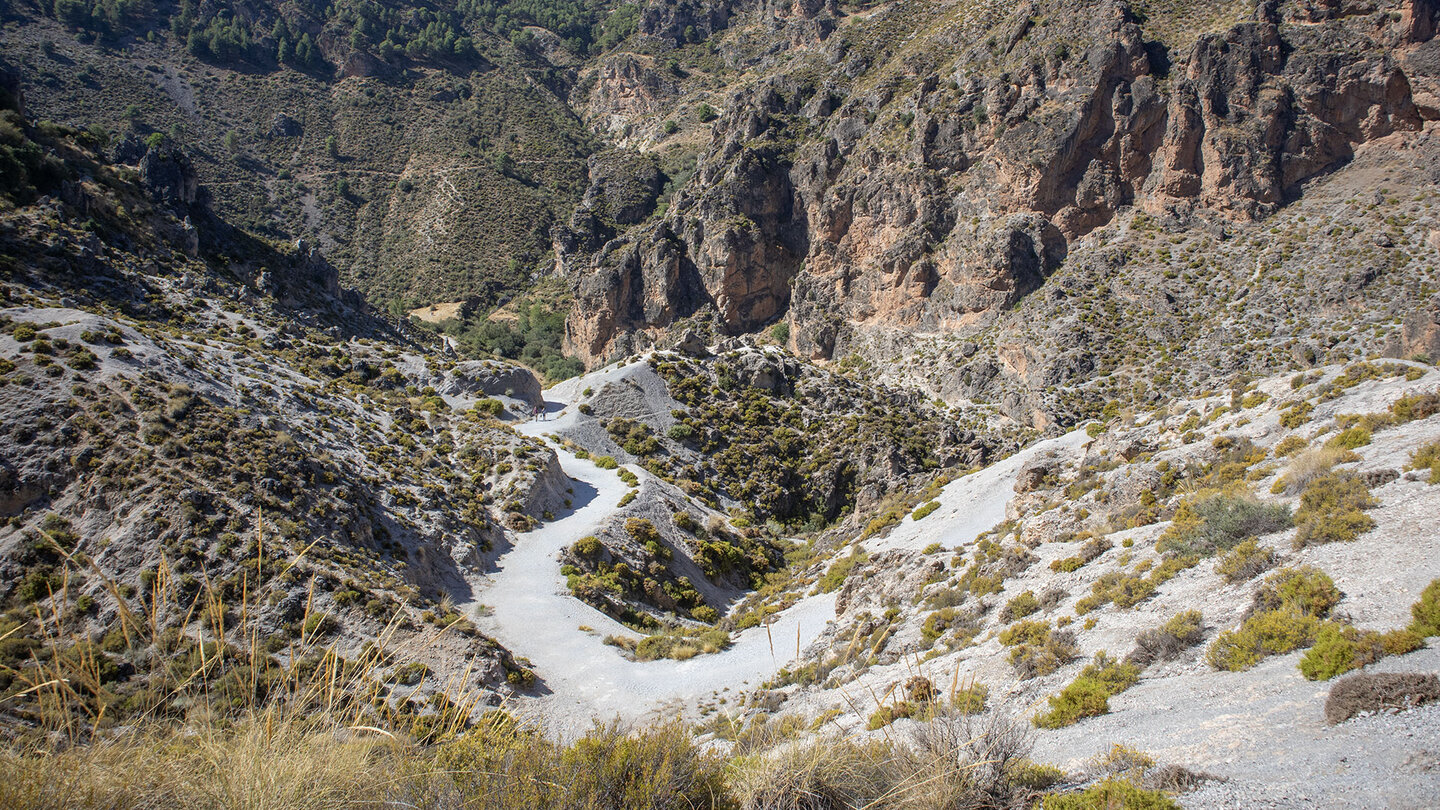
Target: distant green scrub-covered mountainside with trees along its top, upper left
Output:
{"points": [[423, 177]]}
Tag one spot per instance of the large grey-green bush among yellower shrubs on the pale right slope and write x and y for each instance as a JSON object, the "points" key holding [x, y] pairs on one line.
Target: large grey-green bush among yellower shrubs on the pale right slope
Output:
{"points": [[1218, 521]]}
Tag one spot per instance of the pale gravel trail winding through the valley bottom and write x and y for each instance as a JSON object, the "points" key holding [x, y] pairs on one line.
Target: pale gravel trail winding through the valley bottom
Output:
{"points": [[535, 616]]}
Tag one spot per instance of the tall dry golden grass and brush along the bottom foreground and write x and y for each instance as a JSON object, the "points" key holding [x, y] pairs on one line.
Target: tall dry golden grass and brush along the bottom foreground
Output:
{"points": [[224, 723]]}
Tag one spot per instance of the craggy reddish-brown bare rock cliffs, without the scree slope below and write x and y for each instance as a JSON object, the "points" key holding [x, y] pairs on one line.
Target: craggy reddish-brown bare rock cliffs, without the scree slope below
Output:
{"points": [[950, 185]]}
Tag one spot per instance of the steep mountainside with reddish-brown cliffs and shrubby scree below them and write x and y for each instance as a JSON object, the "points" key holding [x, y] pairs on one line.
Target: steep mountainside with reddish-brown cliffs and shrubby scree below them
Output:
{"points": [[951, 178]]}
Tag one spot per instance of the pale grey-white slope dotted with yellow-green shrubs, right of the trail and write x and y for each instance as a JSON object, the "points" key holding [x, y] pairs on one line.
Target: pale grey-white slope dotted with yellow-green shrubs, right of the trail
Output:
{"points": [[1108, 538]]}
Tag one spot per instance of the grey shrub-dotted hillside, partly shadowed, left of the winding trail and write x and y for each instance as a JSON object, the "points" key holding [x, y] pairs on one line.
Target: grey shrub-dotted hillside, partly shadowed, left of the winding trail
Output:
{"points": [[208, 442]]}
